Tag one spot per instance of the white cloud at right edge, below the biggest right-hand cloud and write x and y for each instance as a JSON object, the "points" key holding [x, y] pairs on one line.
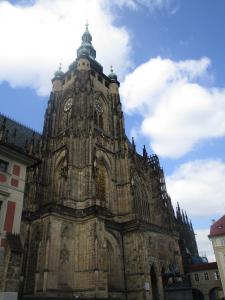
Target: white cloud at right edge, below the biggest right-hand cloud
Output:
{"points": [[199, 187]]}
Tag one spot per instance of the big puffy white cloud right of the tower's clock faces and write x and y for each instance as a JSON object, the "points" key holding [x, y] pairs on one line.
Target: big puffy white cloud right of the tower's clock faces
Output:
{"points": [[177, 111]]}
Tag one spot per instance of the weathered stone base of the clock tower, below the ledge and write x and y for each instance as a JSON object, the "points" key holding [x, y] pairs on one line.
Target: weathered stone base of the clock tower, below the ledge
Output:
{"points": [[74, 257]]}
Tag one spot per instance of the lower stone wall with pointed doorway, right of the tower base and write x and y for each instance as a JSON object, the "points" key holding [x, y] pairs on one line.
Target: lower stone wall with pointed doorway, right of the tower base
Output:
{"points": [[148, 254]]}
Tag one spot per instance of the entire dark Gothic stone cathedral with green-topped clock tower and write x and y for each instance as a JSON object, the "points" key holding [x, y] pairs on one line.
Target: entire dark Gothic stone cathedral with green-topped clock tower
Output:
{"points": [[97, 222]]}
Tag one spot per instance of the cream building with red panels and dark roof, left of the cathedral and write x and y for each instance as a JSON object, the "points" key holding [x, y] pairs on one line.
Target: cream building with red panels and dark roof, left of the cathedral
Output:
{"points": [[16, 154]]}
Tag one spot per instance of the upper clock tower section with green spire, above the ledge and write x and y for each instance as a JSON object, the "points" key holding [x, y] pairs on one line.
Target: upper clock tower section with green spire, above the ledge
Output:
{"points": [[83, 134]]}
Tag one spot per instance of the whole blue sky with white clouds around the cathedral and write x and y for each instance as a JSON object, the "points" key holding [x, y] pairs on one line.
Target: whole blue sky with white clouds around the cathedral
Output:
{"points": [[169, 57]]}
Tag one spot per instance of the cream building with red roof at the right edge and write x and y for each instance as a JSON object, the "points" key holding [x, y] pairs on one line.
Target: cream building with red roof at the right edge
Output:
{"points": [[217, 237]]}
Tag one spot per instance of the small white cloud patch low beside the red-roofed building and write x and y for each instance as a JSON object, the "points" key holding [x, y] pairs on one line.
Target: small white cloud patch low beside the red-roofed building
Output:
{"points": [[204, 244]]}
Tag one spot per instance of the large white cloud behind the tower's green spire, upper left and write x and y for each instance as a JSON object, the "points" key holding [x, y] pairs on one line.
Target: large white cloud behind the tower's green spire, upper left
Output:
{"points": [[39, 35]]}
